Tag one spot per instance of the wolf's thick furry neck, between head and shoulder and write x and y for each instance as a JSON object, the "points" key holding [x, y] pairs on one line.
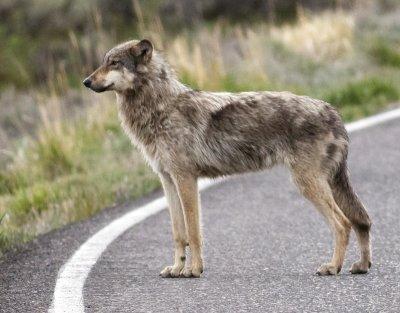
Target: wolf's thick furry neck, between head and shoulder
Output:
{"points": [[142, 112]]}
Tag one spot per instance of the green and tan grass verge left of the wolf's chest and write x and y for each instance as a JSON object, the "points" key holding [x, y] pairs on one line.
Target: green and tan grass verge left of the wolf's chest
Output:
{"points": [[65, 176]]}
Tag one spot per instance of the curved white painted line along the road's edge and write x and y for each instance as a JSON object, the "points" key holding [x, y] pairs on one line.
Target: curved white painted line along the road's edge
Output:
{"points": [[68, 293]]}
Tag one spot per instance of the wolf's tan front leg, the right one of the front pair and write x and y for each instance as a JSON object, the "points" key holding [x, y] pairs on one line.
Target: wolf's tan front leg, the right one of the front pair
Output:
{"points": [[189, 195]]}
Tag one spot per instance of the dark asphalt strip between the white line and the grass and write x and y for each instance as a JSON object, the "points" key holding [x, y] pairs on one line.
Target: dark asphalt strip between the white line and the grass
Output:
{"points": [[28, 277]]}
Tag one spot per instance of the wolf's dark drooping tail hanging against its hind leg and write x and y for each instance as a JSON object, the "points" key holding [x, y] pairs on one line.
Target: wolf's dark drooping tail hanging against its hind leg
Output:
{"points": [[348, 201]]}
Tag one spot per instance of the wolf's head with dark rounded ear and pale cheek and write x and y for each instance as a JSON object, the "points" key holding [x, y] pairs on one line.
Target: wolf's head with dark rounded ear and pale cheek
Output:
{"points": [[124, 68]]}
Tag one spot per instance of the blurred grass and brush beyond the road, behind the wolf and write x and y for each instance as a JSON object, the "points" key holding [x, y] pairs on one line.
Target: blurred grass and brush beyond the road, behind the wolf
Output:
{"points": [[63, 155]]}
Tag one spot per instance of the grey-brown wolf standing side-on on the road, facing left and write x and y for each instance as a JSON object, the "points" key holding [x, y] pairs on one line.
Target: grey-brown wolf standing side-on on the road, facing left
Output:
{"points": [[185, 134]]}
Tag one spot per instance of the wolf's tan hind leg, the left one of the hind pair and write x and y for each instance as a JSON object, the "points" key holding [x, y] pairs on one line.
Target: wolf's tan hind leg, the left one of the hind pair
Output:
{"points": [[314, 187]]}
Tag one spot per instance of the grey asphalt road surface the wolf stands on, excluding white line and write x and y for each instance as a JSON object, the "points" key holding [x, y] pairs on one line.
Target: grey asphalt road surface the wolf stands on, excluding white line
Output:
{"points": [[263, 244]]}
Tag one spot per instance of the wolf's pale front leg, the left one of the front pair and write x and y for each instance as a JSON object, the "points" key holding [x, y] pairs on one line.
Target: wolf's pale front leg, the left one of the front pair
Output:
{"points": [[178, 227]]}
